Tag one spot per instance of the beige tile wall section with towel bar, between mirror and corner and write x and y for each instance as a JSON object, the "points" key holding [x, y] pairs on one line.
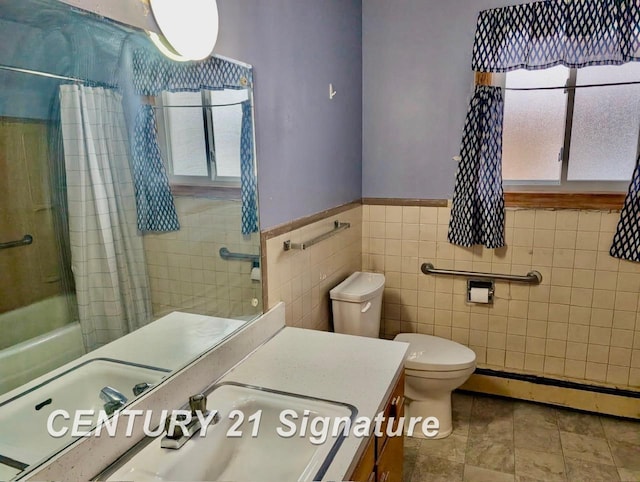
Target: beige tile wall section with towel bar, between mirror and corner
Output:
{"points": [[302, 279]]}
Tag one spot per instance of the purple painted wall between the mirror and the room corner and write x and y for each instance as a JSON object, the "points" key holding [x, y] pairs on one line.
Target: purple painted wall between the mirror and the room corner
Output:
{"points": [[309, 148]]}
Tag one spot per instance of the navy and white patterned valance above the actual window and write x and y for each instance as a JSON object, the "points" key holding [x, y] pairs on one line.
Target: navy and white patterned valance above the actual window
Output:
{"points": [[575, 33]]}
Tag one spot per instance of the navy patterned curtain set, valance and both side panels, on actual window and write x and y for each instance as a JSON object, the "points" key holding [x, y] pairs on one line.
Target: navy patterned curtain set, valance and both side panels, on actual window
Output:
{"points": [[538, 35]]}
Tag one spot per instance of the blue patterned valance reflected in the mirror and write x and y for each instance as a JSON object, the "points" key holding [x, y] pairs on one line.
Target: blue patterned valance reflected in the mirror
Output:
{"points": [[153, 73]]}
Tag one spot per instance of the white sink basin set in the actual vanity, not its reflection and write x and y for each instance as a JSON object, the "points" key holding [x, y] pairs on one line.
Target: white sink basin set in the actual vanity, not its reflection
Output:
{"points": [[266, 456]]}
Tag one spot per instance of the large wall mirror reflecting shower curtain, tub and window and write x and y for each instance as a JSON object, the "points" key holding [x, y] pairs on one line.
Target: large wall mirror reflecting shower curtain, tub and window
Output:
{"points": [[114, 211]]}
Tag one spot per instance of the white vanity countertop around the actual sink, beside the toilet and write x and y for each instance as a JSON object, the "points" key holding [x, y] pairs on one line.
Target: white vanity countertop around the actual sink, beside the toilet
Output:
{"points": [[349, 369]]}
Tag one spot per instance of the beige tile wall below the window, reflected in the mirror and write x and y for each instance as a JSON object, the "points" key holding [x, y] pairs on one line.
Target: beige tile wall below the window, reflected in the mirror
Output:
{"points": [[186, 271]]}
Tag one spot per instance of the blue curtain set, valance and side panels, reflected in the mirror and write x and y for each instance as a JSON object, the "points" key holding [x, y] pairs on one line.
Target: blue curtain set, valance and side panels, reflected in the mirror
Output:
{"points": [[152, 74]]}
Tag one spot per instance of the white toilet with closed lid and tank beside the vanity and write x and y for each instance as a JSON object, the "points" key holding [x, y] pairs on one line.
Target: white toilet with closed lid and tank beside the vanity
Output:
{"points": [[434, 366]]}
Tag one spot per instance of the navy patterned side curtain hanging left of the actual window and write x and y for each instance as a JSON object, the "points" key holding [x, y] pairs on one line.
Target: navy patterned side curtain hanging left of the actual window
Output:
{"points": [[477, 214]]}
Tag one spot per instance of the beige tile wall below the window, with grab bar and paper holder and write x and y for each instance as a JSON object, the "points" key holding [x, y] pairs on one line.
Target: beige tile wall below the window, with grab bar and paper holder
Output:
{"points": [[582, 323]]}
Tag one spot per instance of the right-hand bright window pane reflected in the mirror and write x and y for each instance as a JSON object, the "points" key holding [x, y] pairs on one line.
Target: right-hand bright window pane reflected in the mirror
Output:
{"points": [[227, 124]]}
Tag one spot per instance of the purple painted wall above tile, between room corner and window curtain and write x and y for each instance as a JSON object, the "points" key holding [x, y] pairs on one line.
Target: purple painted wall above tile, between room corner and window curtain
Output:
{"points": [[417, 82]]}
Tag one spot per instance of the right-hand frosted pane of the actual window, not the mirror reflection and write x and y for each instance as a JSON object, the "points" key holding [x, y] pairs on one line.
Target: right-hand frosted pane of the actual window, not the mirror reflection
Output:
{"points": [[606, 121]]}
